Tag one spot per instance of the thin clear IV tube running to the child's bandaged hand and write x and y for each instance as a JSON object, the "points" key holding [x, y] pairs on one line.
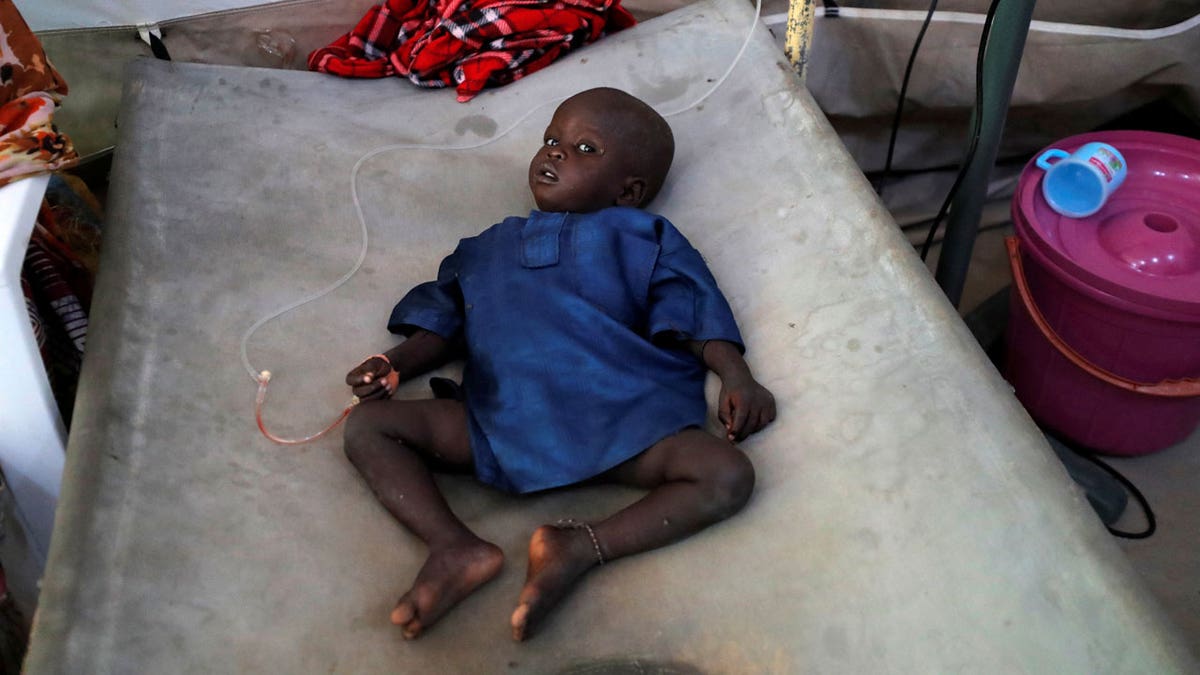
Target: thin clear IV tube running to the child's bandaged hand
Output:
{"points": [[265, 378]]}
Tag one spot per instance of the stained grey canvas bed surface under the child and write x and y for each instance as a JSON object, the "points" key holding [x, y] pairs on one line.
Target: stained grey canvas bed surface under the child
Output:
{"points": [[909, 517]]}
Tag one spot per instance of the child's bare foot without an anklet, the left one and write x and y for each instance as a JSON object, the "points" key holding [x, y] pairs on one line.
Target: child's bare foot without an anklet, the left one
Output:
{"points": [[448, 576]]}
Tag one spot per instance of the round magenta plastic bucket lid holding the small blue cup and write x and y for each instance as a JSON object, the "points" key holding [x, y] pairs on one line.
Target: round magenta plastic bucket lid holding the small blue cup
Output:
{"points": [[1144, 244]]}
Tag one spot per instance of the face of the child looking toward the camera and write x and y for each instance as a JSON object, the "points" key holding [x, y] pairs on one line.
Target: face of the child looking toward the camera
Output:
{"points": [[583, 165]]}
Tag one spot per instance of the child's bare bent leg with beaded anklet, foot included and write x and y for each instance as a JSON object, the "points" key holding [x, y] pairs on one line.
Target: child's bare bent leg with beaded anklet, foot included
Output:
{"points": [[695, 480]]}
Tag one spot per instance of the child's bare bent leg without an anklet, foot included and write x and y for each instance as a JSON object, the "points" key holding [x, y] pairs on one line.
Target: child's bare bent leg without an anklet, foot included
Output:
{"points": [[386, 441]]}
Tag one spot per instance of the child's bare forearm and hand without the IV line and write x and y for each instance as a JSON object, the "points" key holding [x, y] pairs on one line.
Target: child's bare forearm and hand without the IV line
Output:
{"points": [[746, 407]]}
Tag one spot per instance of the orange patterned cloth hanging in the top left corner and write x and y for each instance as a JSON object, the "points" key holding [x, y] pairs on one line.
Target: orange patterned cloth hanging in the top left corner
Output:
{"points": [[29, 92]]}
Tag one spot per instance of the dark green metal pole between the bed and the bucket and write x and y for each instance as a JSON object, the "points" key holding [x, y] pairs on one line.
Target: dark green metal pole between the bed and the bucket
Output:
{"points": [[1003, 59]]}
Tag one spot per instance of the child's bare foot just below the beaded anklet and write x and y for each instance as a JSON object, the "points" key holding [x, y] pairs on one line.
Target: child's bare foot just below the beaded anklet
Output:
{"points": [[557, 558]]}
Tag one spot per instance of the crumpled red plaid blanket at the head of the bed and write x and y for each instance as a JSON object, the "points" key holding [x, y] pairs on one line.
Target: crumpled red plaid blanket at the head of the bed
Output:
{"points": [[467, 44]]}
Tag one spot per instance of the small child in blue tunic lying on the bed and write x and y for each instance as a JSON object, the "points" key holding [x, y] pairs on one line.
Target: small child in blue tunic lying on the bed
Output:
{"points": [[587, 328]]}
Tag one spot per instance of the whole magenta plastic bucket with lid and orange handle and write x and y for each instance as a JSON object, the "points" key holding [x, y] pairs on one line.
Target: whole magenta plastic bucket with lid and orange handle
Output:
{"points": [[1103, 342]]}
